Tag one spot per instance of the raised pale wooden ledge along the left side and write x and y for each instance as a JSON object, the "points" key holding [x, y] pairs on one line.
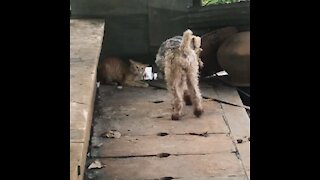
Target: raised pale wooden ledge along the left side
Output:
{"points": [[85, 45]]}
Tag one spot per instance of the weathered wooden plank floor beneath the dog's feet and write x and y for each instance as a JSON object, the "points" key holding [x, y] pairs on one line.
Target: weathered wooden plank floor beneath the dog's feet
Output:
{"points": [[152, 146]]}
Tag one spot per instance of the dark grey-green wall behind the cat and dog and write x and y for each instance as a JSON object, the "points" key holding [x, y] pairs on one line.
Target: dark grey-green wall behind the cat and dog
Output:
{"points": [[135, 28]]}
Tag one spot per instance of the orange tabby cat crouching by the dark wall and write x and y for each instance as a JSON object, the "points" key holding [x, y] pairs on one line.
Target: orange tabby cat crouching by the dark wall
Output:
{"points": [[114, 69]]}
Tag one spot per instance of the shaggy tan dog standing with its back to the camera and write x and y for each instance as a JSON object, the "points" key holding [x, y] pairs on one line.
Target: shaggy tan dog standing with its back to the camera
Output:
{"points": [[181, 70]]}
